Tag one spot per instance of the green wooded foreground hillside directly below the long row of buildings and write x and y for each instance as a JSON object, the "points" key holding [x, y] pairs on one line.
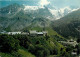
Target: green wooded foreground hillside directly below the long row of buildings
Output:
{"points": [[28, 46]]}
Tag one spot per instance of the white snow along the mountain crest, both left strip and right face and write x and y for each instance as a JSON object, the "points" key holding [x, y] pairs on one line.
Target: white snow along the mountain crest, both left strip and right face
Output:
{"points": [[57, 13]]}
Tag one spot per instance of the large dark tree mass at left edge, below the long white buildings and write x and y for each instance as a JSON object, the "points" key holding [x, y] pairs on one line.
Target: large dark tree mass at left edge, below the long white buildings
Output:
{"points": [[8, 43]]}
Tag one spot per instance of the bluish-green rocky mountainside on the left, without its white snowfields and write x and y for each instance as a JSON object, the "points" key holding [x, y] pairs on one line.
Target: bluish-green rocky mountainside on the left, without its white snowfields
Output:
{"points": [[19, 18]]}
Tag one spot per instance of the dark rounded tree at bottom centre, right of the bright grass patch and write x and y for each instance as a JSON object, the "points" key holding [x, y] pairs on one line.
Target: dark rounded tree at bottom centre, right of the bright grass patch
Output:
{"points": [[41, 51]]}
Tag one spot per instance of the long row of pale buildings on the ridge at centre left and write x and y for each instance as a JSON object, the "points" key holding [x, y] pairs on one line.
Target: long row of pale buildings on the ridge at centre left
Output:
{"points": [[31, 32]]}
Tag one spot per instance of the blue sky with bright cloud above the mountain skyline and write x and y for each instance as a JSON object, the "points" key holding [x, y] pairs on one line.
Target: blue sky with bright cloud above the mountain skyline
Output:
{"points": [[56, 3]]}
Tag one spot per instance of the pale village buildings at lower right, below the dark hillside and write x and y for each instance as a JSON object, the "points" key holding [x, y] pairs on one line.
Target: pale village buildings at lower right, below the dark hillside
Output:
{"points": [[70, 42]]}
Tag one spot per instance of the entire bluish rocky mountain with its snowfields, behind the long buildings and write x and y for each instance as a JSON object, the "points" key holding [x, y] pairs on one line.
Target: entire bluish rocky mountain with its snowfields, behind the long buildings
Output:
{"points": [[17, 17]]}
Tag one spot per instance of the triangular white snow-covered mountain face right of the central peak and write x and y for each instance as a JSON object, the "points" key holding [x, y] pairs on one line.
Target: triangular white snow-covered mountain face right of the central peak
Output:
{"points": [[58, 13]]}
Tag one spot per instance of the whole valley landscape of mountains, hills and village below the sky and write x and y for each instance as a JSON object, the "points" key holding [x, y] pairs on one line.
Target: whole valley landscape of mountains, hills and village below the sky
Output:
{"points": [[39, 31]]}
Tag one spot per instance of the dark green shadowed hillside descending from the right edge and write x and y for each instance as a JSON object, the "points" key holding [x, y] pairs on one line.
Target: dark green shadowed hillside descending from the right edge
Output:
{"points": [[69, 25]]}
